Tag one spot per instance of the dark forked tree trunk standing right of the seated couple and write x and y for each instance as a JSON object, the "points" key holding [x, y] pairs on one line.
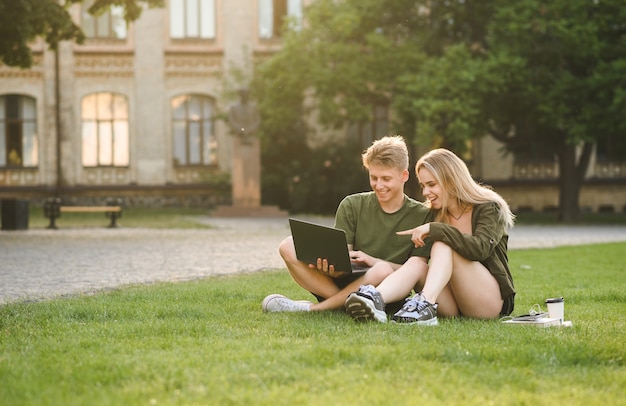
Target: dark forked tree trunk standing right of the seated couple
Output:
{"points": [[571, 178]]}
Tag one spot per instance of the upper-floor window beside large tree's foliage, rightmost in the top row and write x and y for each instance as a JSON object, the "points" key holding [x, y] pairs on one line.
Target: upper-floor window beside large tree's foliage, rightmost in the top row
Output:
{"points": [[272, 14]]}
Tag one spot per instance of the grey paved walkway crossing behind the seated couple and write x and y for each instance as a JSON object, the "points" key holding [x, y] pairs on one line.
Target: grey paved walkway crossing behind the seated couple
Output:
{"points": [[38, 264]]}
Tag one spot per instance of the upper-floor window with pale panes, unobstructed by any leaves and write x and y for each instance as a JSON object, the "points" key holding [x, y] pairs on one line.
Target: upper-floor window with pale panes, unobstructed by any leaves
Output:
{"points": [[192, 19]]}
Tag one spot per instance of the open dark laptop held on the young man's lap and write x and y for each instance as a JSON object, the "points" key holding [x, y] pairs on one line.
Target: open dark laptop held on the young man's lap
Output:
{"points": [[313, 241]]}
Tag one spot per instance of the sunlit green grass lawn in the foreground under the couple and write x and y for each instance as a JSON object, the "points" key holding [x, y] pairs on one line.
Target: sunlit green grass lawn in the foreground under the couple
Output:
{"points": [[208, 343]]}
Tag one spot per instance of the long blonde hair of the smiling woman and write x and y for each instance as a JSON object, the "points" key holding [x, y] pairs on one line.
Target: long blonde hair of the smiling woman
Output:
{"points": [[455, 179]]}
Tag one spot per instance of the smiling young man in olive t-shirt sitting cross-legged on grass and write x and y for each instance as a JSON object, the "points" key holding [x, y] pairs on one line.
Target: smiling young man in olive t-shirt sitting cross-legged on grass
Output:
{"points": [[370, 221]]}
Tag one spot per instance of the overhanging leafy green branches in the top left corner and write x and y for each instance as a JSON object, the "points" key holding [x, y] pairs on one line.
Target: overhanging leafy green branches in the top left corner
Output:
{"points": [[22, 21]]}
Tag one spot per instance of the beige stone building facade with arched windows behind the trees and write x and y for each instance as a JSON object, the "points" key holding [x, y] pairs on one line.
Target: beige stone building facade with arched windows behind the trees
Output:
{"points": [[135, 112]]}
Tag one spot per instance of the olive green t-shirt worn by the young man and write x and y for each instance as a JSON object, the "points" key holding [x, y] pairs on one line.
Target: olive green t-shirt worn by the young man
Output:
{"points": [[369, 229]]}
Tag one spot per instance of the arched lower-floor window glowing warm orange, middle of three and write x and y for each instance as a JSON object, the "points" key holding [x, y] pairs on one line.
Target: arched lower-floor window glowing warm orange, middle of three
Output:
{"points": [[105, 135]]}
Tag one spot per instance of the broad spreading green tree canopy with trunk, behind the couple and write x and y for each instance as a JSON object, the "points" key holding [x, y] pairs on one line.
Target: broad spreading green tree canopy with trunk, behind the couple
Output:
{"points": [[536, 75]]}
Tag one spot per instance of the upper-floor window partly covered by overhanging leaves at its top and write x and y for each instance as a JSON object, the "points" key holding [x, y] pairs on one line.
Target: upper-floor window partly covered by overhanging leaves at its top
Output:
{"points": [[108, 25]]}
